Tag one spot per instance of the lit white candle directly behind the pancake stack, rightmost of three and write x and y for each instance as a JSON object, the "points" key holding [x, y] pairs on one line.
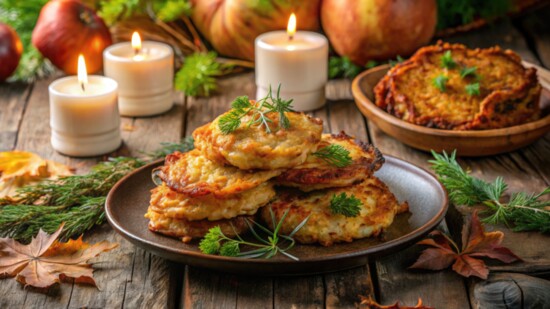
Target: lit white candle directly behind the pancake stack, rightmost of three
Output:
{"points": [[298, 62]]}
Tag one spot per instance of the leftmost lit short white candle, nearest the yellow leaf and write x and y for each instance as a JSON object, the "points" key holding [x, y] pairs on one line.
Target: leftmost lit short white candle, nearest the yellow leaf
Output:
{"points": [[84, 119]]}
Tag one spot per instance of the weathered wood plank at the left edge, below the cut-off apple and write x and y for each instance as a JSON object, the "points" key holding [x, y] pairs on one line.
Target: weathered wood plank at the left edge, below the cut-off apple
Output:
{"points": [[13, 100]]}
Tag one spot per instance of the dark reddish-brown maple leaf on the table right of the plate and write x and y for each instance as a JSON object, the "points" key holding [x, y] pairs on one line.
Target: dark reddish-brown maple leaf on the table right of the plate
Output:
{"points": [[475, 243]]}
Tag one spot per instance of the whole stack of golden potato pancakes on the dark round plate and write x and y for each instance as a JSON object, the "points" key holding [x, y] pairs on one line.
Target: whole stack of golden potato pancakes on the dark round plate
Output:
{"points": [[229, 176]]}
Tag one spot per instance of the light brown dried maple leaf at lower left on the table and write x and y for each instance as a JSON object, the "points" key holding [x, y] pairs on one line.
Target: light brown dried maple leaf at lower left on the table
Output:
{"points": [[46, 261]]}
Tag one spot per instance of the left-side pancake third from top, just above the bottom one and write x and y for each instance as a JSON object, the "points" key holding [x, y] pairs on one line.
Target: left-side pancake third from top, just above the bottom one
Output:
{"points": [[180, 206]]}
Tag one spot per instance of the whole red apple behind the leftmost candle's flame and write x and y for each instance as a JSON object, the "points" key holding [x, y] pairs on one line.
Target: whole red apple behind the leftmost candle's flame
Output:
{"points": [[67, 28]]}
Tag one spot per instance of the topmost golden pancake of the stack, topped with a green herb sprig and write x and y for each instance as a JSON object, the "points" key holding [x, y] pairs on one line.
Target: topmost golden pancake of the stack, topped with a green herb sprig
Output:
{"points": [[251, 147]]}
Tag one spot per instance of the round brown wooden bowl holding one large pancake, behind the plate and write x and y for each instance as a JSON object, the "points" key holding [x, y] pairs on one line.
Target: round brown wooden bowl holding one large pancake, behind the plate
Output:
{"points": [[467, 143]]}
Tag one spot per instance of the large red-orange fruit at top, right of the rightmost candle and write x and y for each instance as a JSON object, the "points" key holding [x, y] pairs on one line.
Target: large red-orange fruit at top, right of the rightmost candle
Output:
{"points": [[367, 30]]}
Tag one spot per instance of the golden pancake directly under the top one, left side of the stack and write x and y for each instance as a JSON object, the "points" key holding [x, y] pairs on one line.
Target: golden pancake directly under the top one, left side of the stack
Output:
{"points": [[194, 175]]}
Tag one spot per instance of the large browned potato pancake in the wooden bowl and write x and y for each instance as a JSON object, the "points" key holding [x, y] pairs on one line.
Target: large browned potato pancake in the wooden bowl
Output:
{"points": [[509, 93]]}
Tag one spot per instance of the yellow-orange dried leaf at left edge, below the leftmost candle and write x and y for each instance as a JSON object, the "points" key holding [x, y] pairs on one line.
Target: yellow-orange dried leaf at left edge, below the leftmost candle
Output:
{"points": [[19, 168]]}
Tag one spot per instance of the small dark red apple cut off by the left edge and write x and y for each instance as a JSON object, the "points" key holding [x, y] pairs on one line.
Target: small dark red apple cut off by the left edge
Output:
{"points": [[10, 51]]}
